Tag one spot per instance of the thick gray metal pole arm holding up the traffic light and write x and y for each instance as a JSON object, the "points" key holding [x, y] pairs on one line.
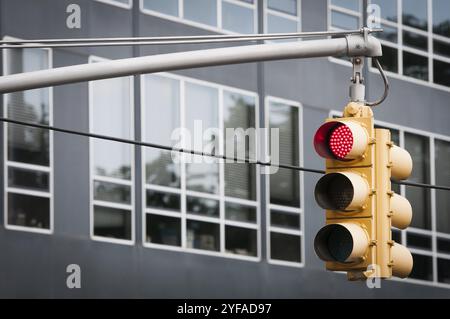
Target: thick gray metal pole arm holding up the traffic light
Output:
{"points": [[352, 45]]}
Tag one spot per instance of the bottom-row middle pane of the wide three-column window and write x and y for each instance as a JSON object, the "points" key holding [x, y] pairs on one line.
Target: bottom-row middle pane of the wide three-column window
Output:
{"points": [[202, 235]]}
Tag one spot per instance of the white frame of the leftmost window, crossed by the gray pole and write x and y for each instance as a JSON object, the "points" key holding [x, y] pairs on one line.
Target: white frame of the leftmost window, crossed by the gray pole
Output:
{"points": [[40, 168]]}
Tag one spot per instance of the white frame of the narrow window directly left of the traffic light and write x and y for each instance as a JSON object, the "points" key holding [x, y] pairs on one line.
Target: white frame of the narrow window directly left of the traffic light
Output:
{"points": [[288, 209]]}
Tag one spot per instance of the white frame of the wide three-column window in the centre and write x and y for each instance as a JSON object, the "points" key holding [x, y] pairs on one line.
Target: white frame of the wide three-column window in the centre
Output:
{"points": [[184, 192]]}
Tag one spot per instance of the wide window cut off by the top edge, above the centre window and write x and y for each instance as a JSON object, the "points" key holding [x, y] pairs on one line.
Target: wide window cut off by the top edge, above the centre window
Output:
{"points": [[235, 16]]}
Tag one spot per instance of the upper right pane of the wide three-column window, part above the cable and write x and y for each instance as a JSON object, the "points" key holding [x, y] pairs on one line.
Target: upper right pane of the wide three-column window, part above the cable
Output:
{"points": [[239, 116]]}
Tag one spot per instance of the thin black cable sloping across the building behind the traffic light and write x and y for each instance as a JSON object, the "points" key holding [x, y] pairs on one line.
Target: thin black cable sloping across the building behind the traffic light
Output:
{"points": [[193, 152]]}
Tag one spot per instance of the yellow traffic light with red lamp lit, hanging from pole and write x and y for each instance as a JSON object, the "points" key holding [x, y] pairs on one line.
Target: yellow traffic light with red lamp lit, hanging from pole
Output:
{"points": [[356, 193]]}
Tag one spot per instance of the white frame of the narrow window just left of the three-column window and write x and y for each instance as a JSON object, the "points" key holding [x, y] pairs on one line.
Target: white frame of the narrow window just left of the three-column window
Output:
{"points": [[93, 177]]}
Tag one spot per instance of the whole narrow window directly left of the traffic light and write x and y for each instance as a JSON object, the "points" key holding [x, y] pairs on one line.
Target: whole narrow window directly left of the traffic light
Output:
{"points": [[284, 203]]}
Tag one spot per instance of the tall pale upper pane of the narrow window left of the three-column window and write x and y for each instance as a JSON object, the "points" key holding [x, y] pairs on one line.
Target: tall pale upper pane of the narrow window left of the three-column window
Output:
{"points": [[112, 116]]}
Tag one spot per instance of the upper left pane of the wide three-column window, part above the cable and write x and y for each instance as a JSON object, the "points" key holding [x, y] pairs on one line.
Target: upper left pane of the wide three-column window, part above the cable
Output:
{"points": [[162, 108]]}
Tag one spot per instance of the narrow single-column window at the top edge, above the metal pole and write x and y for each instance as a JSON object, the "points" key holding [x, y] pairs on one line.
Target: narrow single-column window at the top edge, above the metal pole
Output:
{"points": [[282, 16]]}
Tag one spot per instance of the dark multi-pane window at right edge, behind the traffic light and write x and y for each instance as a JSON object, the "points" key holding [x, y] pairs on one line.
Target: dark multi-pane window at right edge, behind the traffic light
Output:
{"points": [[428, 236]]}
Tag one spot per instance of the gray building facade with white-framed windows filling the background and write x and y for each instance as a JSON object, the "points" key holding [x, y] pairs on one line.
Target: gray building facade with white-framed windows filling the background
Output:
{"points": [[141, 225]]}
